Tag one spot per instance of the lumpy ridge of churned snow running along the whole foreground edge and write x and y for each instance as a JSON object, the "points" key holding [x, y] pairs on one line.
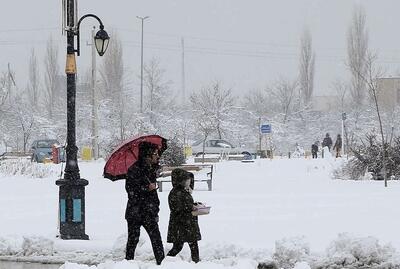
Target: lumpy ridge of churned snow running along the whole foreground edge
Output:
{"points": [[347, 251]]}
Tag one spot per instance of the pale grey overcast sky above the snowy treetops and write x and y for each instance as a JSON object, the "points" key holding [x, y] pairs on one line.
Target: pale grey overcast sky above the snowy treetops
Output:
{"points": [[244, 44]]}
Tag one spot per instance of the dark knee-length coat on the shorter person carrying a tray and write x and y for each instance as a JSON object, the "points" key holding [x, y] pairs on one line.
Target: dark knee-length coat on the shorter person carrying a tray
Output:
{"points": [[183, 226]]}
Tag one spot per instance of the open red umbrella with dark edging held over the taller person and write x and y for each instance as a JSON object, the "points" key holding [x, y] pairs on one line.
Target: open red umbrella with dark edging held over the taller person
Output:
{"points": [[127, 154]]}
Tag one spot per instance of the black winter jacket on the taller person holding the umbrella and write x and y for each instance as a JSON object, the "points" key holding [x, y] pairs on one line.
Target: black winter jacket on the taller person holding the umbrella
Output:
{"points": [[142, 203]]}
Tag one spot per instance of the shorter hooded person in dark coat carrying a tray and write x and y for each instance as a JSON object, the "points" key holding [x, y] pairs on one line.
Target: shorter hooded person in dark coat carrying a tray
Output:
{"points": [[183, 226]]}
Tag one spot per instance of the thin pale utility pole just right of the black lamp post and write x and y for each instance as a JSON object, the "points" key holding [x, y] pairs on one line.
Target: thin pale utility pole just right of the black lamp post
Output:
{"points": [[95, 135]]}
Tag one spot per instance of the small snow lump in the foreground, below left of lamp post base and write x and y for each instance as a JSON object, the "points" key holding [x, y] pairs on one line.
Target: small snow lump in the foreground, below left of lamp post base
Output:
{"points": [[37, 245]]}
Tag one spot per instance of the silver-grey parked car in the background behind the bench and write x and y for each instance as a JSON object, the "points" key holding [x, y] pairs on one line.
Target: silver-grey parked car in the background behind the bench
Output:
{"points": [[217, 146]]}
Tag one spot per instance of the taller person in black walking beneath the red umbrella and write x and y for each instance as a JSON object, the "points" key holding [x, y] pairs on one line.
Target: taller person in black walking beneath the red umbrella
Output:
{"points": [[143, 203]]}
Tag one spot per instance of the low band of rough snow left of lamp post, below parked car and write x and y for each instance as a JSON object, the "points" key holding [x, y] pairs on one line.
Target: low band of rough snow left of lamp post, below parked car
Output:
{"points": [[24, 167]]}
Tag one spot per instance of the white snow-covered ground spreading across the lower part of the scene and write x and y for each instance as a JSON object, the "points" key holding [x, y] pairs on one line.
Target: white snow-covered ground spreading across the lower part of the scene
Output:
{"points": [[281, 210]]}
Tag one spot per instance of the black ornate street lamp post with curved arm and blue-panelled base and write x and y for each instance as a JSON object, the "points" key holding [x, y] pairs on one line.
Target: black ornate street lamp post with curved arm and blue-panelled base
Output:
{"points": [[72, 187]]}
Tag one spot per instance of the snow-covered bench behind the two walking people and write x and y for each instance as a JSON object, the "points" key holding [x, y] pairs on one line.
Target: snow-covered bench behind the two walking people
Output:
{"points": [[165, 175]]}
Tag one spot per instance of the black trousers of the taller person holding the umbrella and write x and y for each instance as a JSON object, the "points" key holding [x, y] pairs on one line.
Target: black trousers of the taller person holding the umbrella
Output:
{"points": [[151, 227]]}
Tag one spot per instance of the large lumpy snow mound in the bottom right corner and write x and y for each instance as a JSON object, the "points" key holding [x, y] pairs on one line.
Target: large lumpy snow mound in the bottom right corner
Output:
{"points": [[358, 252]]}
